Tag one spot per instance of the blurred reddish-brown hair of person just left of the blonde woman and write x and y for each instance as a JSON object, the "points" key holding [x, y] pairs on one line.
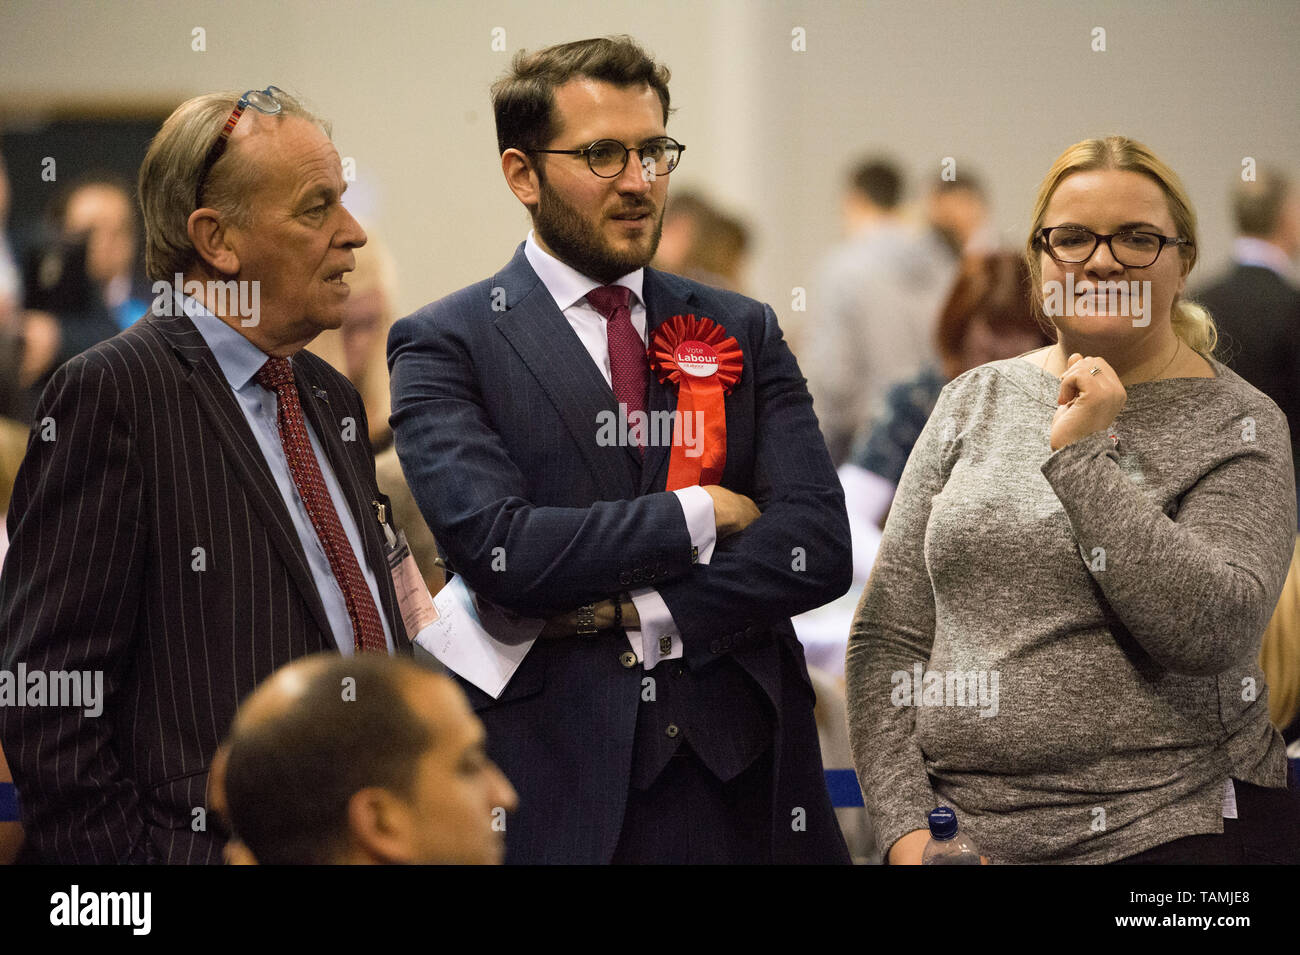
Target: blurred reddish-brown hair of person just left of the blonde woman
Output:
{"points": [[994, 288]]}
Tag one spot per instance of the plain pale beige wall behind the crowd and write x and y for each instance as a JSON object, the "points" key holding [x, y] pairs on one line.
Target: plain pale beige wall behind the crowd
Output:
{"points": [[770, 131]]}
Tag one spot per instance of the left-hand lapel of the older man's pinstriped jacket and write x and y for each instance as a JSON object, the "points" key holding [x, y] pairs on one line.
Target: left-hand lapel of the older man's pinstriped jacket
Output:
{"points": [[232, 429]]}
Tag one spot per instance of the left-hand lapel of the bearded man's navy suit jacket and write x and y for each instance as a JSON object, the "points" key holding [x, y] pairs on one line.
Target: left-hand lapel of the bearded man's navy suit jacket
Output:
{"points": [[553, 353]]}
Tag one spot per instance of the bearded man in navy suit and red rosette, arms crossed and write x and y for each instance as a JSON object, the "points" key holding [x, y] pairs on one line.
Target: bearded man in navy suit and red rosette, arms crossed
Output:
{"points": [[666, 714]]}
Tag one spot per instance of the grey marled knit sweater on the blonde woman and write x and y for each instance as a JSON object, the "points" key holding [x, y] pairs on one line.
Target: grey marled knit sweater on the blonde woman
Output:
{"points": [[1063, 648]]}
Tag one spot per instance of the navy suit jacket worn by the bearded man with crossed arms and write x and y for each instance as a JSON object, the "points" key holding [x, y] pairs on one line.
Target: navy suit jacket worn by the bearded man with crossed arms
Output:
{"points": [[496, 414]]}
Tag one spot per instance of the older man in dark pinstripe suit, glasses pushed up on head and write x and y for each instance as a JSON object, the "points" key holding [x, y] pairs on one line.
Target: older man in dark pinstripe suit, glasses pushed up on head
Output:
{"points": [[198, 502]]}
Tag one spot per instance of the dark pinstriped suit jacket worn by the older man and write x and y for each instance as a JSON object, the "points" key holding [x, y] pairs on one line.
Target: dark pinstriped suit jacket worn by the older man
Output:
{"points": [[153, 459]]}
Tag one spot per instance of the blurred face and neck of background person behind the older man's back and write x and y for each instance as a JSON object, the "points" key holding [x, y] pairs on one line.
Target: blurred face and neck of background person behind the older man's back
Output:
{"points": [[101, 211]]}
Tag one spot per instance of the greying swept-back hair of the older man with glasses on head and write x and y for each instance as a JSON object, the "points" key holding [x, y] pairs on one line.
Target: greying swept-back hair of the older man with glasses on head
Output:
{"points": [[170, 177]]}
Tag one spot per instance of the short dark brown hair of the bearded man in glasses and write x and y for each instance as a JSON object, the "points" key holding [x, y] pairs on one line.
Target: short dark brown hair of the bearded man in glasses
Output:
{"points": [[525, 99]]}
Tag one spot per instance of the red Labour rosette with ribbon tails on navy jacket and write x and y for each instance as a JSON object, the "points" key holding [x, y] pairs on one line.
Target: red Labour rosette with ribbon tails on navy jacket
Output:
{"points": [[704, 363]]}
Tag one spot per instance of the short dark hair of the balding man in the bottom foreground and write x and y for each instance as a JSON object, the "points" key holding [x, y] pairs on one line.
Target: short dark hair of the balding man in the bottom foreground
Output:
{"points": [[291, 776]]}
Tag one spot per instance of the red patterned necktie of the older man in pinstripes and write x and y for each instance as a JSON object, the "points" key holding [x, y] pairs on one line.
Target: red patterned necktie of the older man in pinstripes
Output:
{"points": [[278, 376]]}
